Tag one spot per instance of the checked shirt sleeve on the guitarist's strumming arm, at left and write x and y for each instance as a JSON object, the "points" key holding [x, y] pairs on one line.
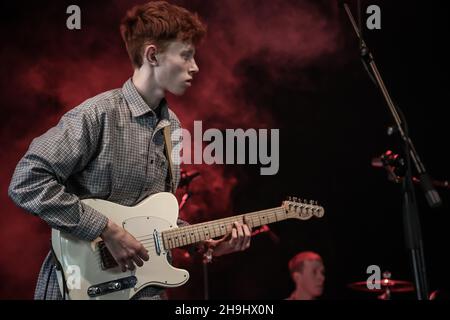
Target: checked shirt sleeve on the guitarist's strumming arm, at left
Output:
{"points": [[37, 184]]}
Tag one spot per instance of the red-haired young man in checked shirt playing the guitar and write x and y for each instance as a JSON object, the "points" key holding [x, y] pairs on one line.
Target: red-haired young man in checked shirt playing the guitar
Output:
{"points": [[112, 147]]}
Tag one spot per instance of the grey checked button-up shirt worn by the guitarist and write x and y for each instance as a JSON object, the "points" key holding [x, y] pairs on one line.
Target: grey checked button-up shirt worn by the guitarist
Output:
{"points": [[110, 147]]}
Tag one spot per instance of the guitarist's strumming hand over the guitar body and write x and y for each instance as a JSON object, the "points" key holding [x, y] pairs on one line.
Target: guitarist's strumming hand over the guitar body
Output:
{"points": [[125, 249]]}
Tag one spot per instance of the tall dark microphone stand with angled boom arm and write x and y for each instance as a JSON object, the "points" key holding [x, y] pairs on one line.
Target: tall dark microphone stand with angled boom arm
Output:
{"points": [[413, 236]]}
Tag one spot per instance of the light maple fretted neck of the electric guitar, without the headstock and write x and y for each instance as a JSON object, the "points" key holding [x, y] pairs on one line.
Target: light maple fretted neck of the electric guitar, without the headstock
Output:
{"points": [[203, 231]]}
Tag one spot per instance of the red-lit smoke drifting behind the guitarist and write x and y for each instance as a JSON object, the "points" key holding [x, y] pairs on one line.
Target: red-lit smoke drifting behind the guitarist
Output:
{"points": [[62, 68]]}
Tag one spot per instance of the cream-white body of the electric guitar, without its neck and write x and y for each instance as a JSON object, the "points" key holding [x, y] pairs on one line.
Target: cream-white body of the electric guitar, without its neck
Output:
{"points": [[81, 261]]}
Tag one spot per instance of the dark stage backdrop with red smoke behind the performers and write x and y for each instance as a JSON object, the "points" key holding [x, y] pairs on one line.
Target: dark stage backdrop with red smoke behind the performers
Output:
{"points": [[291, 65]]}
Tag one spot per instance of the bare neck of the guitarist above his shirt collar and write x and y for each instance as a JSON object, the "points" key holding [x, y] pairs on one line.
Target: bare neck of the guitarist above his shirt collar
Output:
{"points": [[151, 93]]}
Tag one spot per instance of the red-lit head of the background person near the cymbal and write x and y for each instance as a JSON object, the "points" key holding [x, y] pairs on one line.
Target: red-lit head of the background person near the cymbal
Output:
{"points": [[308, 273]]}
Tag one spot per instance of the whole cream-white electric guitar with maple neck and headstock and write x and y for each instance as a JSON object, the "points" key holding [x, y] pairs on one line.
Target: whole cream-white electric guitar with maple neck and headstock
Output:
{"points": [[92, 273]]}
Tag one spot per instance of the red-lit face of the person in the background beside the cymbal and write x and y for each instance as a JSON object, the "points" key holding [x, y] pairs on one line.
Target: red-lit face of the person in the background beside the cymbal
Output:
{"points": [[312, 277]]}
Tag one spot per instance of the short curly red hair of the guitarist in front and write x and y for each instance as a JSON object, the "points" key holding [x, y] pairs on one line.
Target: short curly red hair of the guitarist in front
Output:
{"points": [[158, 23]]}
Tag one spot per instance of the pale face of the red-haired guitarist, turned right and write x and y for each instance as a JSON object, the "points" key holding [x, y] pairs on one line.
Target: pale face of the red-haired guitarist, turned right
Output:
{"points": [[176, 67]]}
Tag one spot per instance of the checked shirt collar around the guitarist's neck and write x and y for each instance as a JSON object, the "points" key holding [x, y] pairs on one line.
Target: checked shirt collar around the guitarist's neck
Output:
{"points": [[137, 105]]}
